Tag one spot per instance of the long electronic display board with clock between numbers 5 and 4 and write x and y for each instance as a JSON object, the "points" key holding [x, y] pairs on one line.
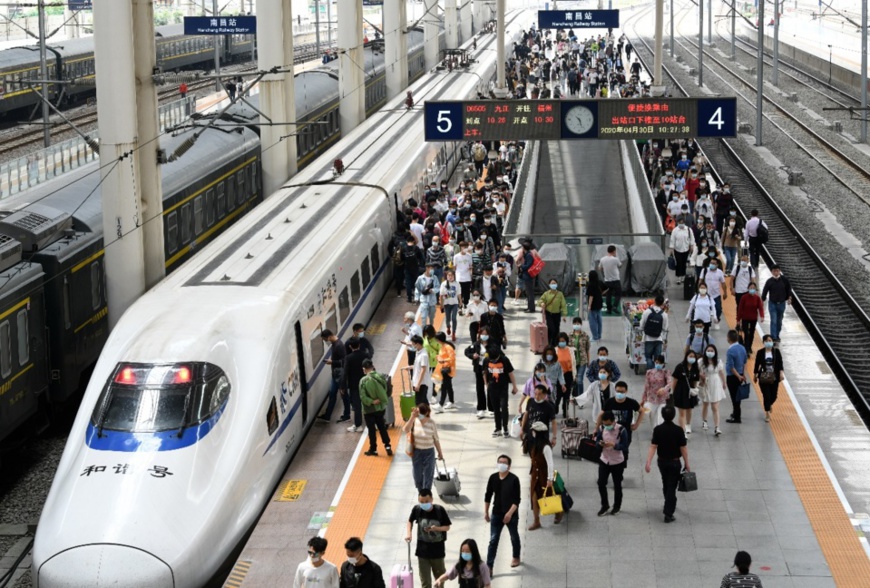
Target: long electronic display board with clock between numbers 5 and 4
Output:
{"points": [[552, 120]]}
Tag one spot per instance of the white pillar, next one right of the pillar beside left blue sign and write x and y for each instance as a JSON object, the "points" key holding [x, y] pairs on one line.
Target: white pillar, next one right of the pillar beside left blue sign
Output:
{"points": [[351, 90]]}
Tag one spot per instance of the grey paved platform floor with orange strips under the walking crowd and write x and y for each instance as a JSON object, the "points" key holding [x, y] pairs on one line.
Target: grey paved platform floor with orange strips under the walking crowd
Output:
{"points": [[769, 489]]}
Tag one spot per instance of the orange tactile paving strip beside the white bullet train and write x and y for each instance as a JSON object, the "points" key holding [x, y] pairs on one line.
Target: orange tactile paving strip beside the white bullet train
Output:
{"points": [[354, 512]]}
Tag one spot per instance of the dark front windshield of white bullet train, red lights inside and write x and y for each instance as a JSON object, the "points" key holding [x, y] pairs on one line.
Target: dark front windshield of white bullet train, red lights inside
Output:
{"points": [[150, 398]]}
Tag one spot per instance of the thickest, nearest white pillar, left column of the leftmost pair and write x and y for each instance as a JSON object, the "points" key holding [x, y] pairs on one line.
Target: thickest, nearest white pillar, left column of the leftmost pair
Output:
{"points": [[117, 121]]}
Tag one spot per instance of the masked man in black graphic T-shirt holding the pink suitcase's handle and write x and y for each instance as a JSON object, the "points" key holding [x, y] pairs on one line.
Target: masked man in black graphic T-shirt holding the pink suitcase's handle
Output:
{"points": [[433, 524]]}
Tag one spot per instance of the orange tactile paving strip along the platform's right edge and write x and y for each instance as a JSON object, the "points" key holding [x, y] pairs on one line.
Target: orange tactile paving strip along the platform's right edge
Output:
{"points": [[846, 557]]}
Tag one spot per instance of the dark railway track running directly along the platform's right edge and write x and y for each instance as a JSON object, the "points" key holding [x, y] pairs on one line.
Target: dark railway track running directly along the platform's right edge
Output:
{"points": [[834, 319]]}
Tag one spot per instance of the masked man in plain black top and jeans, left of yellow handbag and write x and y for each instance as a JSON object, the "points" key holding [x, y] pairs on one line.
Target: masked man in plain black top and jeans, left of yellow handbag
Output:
{"points": [[504, 486]]}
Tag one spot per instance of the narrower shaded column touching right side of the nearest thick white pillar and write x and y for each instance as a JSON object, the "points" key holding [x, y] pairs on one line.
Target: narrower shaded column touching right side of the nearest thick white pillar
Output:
{"points": [[150, 187]]}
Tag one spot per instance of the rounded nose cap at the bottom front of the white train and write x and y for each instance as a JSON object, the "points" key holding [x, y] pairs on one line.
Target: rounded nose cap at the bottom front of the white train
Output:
{"points": [[99, 566]]}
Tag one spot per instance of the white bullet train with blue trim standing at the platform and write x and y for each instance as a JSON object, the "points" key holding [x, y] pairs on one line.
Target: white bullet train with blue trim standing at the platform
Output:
{"points": [[208, 384]]}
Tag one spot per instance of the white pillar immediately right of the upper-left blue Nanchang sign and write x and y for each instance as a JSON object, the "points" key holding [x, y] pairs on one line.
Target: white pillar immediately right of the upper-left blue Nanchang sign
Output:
{"points": [[273, 100]]}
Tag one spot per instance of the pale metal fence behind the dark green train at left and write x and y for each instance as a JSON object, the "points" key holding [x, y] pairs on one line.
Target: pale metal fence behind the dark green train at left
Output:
{"points": [[22, 173]]}
